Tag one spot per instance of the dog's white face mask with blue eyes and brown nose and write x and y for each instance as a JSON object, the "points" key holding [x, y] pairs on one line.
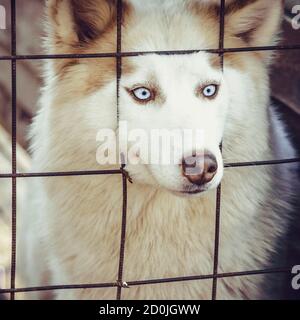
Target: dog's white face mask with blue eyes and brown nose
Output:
{"points": [[178, 99]]}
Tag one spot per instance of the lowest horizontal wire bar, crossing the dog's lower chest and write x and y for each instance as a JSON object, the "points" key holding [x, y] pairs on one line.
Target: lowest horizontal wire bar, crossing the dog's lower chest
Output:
{"points": [[147, 282]]}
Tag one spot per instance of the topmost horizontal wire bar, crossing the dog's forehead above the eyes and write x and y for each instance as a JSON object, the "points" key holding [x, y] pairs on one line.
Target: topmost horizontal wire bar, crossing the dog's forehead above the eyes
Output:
{"points": [[139, 53]]}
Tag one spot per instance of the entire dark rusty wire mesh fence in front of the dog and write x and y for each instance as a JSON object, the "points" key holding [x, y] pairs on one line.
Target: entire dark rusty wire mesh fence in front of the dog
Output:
{"points": [[120, 284]]}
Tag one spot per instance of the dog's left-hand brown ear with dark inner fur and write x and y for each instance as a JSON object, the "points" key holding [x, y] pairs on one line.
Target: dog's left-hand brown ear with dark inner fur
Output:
{"points": [[72, 22]]}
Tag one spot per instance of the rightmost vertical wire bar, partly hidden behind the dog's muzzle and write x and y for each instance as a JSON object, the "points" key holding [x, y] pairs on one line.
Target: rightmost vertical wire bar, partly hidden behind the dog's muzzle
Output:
{"points": [[219, 190]]}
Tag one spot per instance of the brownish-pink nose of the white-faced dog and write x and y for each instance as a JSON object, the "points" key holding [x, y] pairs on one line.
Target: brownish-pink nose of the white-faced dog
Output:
{"points": [[200, 169]]}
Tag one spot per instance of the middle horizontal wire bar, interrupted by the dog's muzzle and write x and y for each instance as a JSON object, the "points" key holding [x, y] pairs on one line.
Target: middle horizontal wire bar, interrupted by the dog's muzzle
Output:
{"points": [[108, 172]]}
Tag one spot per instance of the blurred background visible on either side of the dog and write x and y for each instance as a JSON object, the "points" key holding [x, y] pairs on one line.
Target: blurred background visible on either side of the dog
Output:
{"points": [[285, 79]]}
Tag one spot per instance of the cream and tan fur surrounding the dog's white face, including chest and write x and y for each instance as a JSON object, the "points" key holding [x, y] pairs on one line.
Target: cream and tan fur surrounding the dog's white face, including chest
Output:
{"points": [[76, 220]]}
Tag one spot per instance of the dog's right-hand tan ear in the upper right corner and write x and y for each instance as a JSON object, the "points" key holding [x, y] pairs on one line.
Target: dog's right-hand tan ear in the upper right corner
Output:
{"points": [[255, 22]]}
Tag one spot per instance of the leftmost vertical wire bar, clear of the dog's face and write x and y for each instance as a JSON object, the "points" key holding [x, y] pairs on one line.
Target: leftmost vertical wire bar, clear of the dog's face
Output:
{"points": [[13, 146]]}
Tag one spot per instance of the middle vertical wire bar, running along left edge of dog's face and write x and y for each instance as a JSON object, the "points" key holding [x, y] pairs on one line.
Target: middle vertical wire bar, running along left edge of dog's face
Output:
{"points": [[120, 281]]}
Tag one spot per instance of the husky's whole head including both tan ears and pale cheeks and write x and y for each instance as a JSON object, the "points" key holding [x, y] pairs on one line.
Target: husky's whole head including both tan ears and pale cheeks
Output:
{"points": [[187, 98]]}
